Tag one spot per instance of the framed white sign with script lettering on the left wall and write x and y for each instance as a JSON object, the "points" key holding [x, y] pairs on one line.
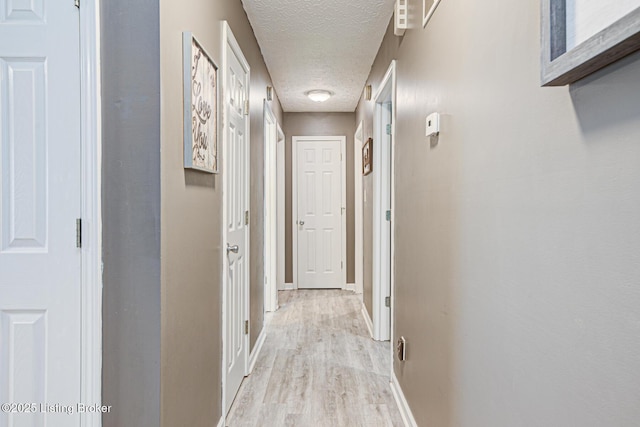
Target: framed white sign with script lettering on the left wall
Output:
{"points": [[201, 96]]}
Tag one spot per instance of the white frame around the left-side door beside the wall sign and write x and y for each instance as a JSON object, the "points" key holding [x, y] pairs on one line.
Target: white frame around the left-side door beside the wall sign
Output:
{"points": [[229, 40]]}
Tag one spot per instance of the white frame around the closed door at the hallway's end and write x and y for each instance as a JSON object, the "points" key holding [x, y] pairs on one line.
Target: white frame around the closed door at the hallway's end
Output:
{"points": [[294, 201]]}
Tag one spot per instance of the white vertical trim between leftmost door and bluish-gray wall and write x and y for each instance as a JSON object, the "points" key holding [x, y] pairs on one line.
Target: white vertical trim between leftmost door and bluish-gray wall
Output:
{"points": [[91, 140]]}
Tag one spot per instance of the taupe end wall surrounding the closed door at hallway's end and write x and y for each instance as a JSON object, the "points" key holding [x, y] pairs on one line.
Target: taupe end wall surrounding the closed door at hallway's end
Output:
{"points": [[319, 124]]}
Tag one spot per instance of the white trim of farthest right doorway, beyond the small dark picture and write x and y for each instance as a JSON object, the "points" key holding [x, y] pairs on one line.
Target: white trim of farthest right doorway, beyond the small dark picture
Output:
{"points": [[358, 140]]}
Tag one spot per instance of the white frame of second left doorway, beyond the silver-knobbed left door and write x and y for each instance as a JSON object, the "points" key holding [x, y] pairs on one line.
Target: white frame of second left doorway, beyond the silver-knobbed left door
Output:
{"points": [[270, 247]]}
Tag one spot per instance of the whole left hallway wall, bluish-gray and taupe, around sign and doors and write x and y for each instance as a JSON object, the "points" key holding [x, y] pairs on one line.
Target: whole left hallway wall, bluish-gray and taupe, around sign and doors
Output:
{"points": [[162, 223]]}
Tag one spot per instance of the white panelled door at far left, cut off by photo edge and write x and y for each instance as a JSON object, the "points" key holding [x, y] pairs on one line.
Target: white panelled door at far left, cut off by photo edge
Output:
{"points": [[40, 199]]}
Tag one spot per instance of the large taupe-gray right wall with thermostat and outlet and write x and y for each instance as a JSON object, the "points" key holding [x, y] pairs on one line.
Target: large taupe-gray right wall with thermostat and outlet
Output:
{"points": [[517, 231]]}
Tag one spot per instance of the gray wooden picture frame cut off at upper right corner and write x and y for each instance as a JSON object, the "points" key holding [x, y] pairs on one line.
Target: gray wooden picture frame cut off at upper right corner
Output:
{"points": [[563, 64]]}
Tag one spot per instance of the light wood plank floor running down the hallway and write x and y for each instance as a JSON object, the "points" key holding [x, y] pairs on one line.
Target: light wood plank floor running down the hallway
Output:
{"points": [[318, 367]]}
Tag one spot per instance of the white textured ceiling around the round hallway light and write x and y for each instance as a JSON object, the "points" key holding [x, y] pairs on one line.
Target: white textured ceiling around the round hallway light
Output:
{"points": [[319, 44]]}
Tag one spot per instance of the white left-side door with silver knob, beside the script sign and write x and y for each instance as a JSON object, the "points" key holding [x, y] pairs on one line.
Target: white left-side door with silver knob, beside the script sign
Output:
{"points": [[236, 206]]}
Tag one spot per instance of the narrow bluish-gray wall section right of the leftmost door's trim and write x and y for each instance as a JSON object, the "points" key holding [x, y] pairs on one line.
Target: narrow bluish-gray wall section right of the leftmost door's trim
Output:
{"points": [[131, 212]]}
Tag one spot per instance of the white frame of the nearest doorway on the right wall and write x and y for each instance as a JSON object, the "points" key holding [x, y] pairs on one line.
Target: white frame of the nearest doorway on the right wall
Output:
{"points": [[383, 241]]}
